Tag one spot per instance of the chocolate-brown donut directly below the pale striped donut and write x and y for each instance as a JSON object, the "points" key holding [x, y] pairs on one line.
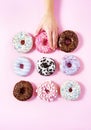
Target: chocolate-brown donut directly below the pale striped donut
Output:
{"points": [[23, 90]]}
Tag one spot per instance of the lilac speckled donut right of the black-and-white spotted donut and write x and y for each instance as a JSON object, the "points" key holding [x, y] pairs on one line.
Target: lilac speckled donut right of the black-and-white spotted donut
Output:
{"points": [[69, 65]]}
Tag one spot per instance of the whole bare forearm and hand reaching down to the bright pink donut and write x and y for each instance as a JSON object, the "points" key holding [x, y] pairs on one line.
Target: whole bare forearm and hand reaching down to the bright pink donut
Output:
{"points": [[49, 24]]}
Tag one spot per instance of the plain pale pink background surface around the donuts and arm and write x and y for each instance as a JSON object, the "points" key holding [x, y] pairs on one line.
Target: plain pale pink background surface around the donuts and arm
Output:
{"points": [[35, 114]]}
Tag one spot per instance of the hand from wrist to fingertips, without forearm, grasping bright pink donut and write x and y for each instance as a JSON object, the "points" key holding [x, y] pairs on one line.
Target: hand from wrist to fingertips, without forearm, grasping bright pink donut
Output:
{"points": [[48, 23]]}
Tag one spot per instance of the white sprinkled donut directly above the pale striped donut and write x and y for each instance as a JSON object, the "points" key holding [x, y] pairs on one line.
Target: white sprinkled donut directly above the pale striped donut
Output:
{"points": [[23, 42]]}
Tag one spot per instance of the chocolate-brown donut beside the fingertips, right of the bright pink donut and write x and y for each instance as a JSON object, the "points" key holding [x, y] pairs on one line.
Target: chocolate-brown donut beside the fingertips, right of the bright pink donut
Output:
{"points": [[68, 41]]}
